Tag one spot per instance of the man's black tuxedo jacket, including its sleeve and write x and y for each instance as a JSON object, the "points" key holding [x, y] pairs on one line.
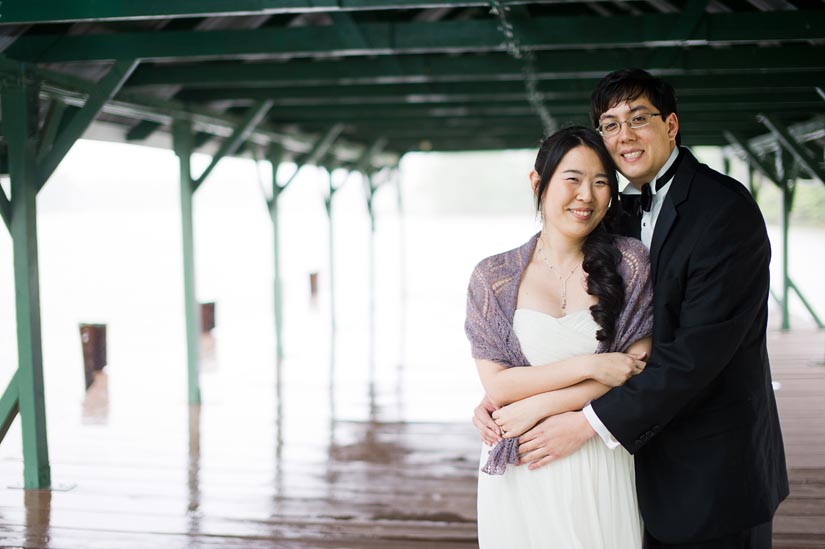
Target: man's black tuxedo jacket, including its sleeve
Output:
{"points": [[701, 419]]}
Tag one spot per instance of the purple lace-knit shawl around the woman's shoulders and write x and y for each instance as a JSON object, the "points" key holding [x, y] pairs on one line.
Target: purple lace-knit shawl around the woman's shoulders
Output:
{"points": [[491, 305]]}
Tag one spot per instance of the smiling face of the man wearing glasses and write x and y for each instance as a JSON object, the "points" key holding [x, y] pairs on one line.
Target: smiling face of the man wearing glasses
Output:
{"points": [[640, 154]]}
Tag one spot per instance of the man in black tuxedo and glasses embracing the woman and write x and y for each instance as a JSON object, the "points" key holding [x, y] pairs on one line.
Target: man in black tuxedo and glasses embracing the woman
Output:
{"points": [[701, 419]]}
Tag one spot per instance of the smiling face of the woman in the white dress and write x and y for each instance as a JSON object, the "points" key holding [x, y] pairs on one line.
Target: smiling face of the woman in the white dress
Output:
{"points": [[578, 194]]}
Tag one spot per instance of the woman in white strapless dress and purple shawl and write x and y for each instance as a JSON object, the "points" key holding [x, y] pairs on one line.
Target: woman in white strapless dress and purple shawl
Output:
{"points": [[574, 304]]}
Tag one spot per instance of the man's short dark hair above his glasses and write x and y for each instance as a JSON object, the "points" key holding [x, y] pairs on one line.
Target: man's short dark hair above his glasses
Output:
{"points": [[628, 85]]}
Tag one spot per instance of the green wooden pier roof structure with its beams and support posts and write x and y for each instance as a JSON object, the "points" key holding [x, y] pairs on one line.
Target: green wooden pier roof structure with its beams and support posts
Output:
{"points": [[356, 84]]}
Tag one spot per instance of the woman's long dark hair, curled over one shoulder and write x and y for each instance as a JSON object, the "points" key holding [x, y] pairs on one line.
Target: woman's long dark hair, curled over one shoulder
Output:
{"points": [[601, 256]]}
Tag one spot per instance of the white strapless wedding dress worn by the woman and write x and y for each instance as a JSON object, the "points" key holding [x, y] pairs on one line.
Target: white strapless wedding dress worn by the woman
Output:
{"points": [[584, 501]]}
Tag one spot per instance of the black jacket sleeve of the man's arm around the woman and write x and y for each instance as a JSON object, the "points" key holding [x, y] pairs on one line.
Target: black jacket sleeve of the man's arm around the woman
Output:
{"points": [[725, 285]]}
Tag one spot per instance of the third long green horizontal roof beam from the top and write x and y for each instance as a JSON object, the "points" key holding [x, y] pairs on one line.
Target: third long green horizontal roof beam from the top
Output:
{"points": [[571, 64]]}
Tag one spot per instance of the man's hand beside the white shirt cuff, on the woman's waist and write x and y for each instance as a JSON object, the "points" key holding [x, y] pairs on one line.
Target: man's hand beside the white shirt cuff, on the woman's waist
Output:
{"points": [[554, 438]]}
